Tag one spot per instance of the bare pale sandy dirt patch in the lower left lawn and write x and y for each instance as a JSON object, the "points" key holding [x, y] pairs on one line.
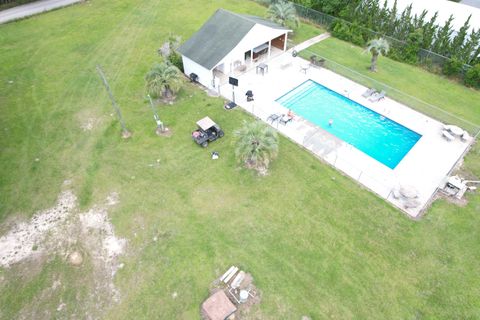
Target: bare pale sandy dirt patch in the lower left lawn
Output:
{"points": [[63, 231]]}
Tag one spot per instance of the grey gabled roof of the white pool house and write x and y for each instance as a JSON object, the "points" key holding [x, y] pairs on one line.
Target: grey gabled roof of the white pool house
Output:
{"points": [[219, 35]]}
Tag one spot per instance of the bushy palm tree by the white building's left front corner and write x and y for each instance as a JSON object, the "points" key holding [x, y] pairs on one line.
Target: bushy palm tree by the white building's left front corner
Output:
{"points": [[163, 80]]}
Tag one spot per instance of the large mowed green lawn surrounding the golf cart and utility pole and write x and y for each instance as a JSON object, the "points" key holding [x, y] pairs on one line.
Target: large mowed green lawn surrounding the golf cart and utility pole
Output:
{"points": [[315, 242]]}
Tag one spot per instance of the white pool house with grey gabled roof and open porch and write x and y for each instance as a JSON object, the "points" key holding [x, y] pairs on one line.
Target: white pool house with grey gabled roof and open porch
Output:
{"points": [[229, 43]]}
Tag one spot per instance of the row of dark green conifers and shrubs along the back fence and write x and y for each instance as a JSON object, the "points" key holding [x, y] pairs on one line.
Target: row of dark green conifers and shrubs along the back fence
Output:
{"points": [[364, 20]]}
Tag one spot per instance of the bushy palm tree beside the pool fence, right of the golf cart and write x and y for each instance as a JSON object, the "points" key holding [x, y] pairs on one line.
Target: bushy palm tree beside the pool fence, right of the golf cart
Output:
{"points": [[256, 146]]}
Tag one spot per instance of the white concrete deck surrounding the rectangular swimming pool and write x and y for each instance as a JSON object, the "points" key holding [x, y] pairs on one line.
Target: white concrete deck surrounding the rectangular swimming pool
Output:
{"points": [[424, 168]]}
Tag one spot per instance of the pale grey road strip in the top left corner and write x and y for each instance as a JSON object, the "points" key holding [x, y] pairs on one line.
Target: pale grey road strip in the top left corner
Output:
{"points": [[33, 8]]}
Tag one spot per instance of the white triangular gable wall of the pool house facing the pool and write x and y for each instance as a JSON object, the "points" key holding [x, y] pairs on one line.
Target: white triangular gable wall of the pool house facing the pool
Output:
{"points": [[258, 35]]}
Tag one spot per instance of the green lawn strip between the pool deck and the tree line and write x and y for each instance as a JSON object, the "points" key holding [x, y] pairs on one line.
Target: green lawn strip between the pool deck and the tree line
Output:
{"points": [[441, 92]]}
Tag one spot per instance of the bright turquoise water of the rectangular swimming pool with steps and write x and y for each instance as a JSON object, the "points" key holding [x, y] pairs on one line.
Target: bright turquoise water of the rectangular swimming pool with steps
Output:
{"points": [[379, 137]]}
